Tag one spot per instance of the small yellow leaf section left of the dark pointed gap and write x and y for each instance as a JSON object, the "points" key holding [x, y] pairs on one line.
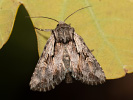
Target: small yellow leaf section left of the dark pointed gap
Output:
{"points": [[8, 9]]}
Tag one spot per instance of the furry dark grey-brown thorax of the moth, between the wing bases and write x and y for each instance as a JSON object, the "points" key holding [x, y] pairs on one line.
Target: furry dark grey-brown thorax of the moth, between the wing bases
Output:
{"points": [[63, 32]]}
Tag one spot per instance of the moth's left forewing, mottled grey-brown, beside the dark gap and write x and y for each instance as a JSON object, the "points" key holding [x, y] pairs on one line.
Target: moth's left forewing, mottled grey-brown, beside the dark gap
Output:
{"points": [[49, 70]]}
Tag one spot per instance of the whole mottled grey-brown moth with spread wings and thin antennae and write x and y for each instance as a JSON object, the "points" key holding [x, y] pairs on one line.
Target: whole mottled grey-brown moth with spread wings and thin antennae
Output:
{"points": [[65, 56]]}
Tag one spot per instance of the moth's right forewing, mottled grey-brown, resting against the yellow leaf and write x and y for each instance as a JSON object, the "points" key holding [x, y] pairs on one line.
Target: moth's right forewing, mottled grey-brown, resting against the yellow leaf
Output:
{"points": [[85, 67]]}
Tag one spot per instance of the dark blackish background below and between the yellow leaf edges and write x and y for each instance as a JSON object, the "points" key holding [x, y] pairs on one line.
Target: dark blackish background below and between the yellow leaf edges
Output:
{"points": [[18, 58]]}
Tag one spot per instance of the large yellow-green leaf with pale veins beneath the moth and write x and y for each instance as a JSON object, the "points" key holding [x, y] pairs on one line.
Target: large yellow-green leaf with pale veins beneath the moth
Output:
{"points": [[106, 27]]}
